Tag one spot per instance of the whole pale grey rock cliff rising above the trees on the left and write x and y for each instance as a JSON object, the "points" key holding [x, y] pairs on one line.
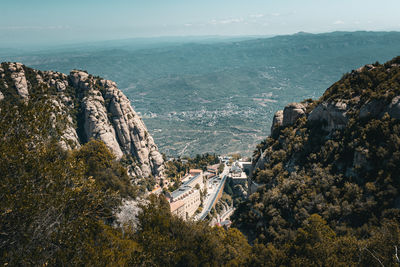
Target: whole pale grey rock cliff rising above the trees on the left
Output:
{"points": [[94, 108]]}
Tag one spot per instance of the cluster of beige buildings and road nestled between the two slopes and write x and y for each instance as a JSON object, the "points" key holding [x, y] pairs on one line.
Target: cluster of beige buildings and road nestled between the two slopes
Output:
{"points": [[199, 192]]}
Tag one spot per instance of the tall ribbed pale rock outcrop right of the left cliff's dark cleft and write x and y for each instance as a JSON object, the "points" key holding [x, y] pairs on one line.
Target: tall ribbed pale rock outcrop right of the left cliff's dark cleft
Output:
{"points": [[118, 125]]}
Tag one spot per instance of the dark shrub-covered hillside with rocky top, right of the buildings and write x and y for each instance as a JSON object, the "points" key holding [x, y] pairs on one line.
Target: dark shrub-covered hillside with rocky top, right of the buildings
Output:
{"points": [[332, 163]]}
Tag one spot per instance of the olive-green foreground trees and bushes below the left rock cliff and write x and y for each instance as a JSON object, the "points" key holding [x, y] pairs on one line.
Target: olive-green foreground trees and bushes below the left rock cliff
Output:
{"points": [[57, 207]]}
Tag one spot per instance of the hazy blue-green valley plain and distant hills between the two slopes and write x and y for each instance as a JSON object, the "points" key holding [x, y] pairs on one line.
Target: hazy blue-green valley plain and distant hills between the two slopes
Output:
{"points": [[219, 97]]}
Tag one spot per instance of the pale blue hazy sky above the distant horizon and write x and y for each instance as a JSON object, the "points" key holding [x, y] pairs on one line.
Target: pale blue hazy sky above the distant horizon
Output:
{"points": [[35, 22]]}
